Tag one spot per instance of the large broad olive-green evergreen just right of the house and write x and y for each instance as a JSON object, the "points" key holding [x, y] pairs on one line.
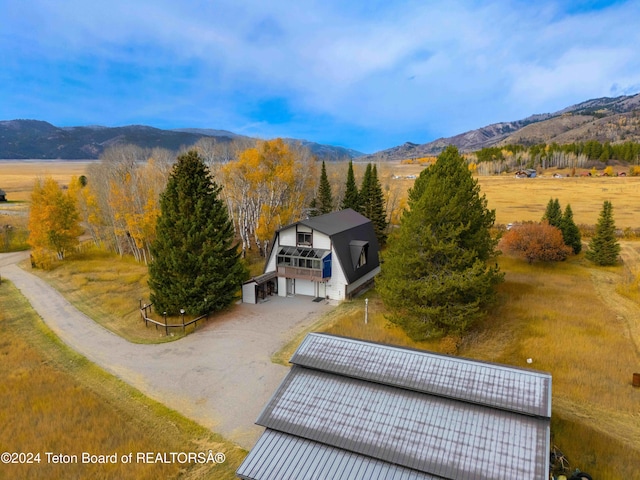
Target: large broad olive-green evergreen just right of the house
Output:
{"points": [[436, 276]]}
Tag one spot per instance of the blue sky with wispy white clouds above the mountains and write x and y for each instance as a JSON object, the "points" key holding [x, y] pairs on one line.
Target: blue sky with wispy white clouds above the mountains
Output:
{"points": [[368, 75]]}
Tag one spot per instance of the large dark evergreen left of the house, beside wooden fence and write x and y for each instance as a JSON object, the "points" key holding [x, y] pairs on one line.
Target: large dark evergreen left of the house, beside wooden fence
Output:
{"points": [[196, 265]]}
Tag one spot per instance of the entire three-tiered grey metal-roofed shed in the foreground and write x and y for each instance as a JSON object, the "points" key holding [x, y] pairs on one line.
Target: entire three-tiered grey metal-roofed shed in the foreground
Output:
{"points": [[361, 410]]}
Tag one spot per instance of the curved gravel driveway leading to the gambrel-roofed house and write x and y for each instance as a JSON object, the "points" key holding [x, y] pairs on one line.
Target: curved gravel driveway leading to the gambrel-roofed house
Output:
{"points": [[221, 376]]}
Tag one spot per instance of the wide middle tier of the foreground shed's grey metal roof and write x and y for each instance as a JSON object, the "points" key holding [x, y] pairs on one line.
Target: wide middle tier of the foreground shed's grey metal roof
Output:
{"points": [[431, 434]]}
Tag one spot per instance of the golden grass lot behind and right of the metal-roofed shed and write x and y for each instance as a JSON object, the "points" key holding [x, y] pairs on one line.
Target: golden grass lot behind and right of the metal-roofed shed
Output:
{"points": [[568, 318]]}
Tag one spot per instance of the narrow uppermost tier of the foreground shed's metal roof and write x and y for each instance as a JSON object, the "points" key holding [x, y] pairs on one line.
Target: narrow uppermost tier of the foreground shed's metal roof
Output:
{"points": [[498, 386]]}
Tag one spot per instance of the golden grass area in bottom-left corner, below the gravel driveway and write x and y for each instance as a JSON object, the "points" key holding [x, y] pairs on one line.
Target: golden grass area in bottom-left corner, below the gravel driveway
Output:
{"points": [[53, 400]]}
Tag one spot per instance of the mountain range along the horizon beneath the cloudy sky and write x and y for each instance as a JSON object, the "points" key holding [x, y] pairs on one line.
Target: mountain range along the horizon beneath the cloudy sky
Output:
{"points": [[603, 119]]}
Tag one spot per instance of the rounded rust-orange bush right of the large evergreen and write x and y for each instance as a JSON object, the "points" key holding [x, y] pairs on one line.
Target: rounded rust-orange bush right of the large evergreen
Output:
{"points": [[536, 241]]}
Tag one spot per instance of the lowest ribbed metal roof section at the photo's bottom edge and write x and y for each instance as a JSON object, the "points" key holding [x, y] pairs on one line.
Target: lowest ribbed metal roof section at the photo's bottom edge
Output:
{"points": [[279, 456]]}
